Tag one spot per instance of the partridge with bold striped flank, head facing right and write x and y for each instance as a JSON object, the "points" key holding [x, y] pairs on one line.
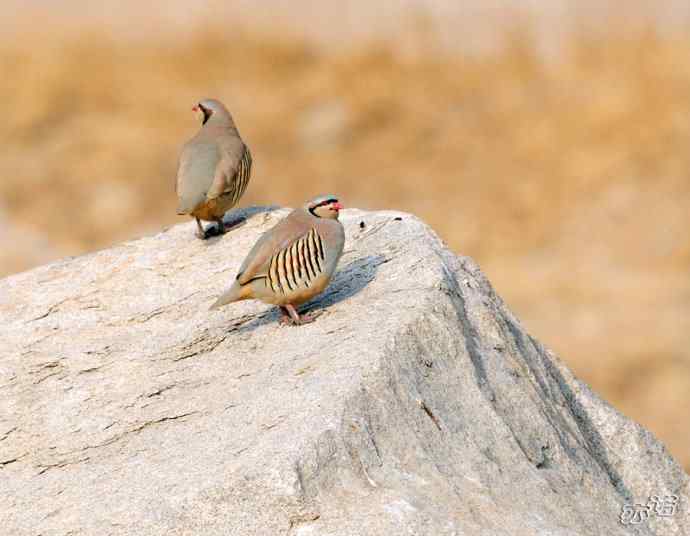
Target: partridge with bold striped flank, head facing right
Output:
{"points": [[293, 261]]}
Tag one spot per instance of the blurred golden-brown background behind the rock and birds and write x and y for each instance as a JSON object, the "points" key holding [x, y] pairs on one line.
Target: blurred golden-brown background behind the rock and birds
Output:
{"points": [[549, 140]]}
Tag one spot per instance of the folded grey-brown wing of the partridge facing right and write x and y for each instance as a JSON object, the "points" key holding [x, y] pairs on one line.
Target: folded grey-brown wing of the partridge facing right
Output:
{"points": [[257, 262]]}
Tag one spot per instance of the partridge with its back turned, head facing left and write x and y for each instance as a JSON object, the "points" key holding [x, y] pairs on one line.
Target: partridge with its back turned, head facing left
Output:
{"points": [[214, 168]]}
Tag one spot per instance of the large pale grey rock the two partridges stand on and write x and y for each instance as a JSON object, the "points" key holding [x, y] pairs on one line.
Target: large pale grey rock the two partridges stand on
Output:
{"points": [[416, 404]]}
